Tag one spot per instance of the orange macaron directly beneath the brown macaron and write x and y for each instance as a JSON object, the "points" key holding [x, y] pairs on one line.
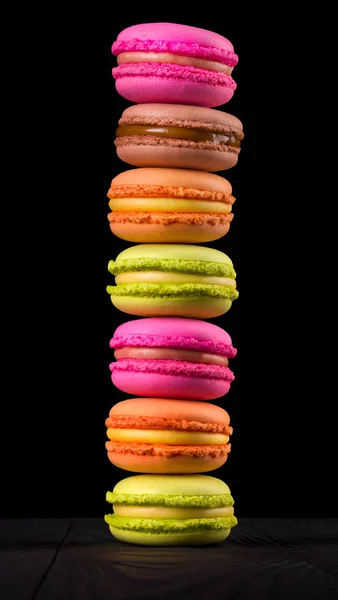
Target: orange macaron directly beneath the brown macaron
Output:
{"points": [[170, 205]]}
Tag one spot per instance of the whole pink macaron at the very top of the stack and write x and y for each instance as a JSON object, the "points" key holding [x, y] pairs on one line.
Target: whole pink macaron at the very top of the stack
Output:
{"points": [[168, 62]]}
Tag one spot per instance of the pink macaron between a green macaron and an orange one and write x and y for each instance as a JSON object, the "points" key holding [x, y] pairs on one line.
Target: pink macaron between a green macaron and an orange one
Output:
{"points": [[172, 358]]}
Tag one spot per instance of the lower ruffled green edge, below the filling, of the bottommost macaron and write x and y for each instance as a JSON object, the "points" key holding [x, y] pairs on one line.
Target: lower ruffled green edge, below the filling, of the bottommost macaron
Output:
{"points": [[170, 525]]}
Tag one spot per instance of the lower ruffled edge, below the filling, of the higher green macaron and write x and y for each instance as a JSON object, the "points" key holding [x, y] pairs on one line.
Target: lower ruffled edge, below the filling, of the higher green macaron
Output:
{"points": [[162, 290]]}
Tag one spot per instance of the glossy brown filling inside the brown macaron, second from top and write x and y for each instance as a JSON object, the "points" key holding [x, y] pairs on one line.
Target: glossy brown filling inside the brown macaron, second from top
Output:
{"points": [[179, 133]]}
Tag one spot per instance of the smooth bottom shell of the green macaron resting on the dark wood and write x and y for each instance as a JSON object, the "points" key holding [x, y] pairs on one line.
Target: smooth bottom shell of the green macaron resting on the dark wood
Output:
{"points": [[170, 539]]}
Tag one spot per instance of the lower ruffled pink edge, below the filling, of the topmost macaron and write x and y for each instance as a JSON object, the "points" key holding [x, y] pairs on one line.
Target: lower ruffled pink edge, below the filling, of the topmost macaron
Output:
{"points": [[175, 72]]}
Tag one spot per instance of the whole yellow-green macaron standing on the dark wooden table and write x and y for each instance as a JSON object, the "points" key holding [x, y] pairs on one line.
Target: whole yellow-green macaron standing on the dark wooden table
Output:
{"points": [[171, 510]]}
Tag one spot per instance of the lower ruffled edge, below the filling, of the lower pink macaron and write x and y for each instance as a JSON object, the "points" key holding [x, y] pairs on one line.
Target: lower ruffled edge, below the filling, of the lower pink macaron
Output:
{"points": [[173, 367]]}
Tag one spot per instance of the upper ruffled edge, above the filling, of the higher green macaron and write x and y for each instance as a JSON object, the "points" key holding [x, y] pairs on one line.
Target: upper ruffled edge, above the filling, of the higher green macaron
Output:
{"points": [[175, 265]]}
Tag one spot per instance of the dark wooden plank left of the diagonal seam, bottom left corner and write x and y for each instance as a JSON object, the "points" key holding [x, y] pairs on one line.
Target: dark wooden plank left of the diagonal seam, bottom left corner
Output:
{"points": [[27, 550]]}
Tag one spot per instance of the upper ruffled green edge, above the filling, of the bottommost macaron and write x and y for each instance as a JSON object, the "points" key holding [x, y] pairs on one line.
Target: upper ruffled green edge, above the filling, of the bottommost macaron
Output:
{"points": [[206, 501]]}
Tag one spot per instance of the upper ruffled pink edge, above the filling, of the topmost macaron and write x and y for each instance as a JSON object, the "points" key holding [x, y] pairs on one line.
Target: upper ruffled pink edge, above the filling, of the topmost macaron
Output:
{"points": [[184, 49]]}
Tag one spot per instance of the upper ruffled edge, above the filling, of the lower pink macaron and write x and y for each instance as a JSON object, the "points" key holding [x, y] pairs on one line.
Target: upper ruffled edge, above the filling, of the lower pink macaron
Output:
{"points": [[185, 343]]}
